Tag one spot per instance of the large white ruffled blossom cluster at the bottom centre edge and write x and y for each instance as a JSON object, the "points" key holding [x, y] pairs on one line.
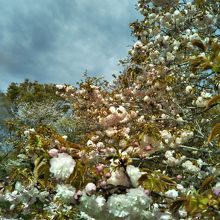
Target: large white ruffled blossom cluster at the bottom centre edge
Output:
{"points": [[134, 204]]}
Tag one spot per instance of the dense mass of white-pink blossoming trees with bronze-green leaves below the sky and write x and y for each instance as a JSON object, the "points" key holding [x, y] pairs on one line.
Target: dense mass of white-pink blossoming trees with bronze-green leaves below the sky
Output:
{"points": [[144, 147]]}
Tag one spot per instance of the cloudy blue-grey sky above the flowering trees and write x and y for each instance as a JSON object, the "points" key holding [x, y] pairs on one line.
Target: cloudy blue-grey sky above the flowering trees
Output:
{"points": [[57, 40]]}
